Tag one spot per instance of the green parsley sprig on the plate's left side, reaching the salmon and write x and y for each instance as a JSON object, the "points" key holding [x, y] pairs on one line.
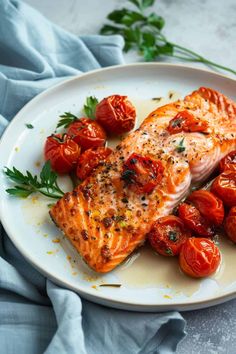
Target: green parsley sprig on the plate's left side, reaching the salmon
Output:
{"points": [[27, 183]]}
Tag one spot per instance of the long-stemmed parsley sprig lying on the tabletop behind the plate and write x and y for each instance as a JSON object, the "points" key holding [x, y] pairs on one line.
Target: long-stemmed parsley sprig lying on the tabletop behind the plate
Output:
{"points": [[143, 32]]}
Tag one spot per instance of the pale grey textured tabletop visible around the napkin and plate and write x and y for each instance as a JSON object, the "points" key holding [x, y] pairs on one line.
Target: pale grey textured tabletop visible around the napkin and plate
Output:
{"points": [[207, 27]]}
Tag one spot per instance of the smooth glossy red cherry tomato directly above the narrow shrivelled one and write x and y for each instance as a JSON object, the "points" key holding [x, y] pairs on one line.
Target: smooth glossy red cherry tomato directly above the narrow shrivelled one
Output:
{"points": [[210, 207]]}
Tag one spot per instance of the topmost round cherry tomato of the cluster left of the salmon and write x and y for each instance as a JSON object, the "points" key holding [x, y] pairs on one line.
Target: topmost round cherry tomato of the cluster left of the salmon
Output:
{"points": [[116, 114]]}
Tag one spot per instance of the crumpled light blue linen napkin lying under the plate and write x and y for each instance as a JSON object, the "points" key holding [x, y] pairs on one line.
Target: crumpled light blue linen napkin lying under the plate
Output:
{"points": [[37, 316]]}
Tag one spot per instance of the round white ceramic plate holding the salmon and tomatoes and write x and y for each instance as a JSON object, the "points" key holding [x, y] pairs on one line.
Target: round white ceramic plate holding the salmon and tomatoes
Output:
{"points": [[149, 282]]}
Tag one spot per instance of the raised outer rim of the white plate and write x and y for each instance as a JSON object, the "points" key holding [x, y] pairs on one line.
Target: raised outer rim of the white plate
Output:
{"points": [[90, 293]]}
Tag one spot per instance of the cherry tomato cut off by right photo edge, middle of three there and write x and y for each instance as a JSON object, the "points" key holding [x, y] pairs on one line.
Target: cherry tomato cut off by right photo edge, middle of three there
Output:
{"points": [[224, 187]]}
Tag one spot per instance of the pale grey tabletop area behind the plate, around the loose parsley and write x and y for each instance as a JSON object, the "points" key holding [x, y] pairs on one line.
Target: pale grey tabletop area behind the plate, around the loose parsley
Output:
{"points": [[205, 26]]}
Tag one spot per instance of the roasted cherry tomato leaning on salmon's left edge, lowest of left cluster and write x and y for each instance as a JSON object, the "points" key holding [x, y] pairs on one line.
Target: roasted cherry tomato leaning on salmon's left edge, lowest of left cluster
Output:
{"points": [[90, 159]]}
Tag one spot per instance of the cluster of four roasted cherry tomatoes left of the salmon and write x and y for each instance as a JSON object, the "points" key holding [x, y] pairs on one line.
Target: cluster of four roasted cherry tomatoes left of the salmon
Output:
{"points": [[82, 146]]}
